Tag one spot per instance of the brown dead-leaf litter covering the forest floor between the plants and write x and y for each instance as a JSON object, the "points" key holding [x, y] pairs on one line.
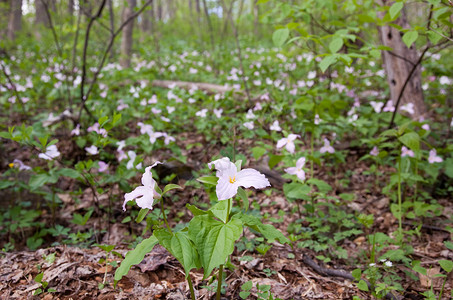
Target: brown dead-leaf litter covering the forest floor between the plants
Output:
{"points": [[292, 273]]}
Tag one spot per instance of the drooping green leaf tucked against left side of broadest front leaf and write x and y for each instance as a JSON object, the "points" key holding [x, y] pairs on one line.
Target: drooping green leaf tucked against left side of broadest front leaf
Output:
{"points": [[181, 247]]}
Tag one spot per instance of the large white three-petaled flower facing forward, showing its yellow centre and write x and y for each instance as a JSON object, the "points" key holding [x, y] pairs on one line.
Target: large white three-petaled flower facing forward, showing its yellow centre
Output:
{"points": [[230, 179]]}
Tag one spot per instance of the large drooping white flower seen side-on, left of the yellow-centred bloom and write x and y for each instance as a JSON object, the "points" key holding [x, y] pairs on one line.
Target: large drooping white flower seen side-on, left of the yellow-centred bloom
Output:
{"points": [[144, 195]]}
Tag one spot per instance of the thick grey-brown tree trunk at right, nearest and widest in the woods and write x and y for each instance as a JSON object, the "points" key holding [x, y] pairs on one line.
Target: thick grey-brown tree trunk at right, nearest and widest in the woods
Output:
{"points": [[399, 64]]}
